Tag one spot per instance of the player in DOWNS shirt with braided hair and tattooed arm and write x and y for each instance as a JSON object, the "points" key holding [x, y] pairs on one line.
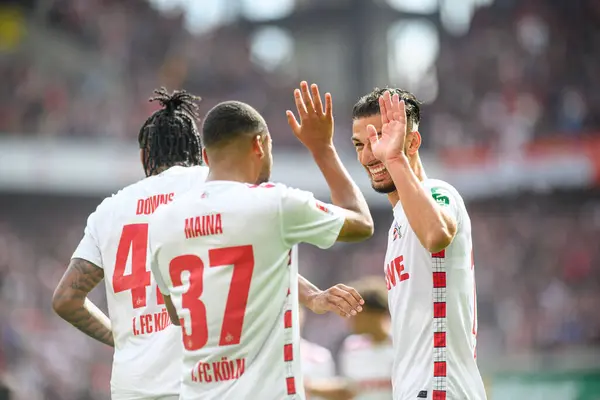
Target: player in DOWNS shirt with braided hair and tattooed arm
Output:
{"points": [[146, 361]]}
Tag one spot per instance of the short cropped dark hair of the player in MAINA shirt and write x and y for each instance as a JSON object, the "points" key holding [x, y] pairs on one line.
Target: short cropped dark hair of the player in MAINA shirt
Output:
{"points": [[231, 120]]}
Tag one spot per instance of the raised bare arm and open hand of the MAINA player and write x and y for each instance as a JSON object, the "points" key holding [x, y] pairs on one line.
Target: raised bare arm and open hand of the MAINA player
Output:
{"points": [[315, 131]]}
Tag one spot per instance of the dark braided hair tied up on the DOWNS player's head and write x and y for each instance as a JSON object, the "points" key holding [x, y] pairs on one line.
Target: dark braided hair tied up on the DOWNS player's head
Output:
{"points": [[170, 136]]}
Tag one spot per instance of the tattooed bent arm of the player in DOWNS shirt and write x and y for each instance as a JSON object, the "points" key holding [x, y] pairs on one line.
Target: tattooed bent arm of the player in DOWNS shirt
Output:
{"points": [[70, 301]]}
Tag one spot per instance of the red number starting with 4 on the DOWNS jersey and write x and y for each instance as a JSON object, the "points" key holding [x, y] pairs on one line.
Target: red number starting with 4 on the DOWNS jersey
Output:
{"points": [[134, 241]]}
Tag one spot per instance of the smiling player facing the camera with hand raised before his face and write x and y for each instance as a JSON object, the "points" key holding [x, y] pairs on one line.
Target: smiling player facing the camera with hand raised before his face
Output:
{"points": [[429, 268]]}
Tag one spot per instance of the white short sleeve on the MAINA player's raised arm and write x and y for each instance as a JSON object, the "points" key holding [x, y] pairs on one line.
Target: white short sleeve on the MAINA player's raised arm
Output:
{"points": [[307, 220]]}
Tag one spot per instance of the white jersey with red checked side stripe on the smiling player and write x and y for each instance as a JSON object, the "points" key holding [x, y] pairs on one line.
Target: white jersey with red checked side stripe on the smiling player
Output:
{"points": [[433, 307]]}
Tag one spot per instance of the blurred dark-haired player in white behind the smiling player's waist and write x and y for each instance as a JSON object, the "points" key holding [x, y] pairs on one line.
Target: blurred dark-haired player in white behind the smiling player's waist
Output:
{"points": [[367, 355]]}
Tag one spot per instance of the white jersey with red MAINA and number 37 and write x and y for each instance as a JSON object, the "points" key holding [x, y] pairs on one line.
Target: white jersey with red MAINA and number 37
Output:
{"points": [[223, 255]]}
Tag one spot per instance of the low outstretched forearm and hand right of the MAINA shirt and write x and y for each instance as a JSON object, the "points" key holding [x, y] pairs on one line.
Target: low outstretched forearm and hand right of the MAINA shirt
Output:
{"points": [[341, 299]]}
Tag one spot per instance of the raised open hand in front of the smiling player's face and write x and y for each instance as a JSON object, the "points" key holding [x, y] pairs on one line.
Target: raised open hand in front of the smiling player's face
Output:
{"points": [[389, 145]]}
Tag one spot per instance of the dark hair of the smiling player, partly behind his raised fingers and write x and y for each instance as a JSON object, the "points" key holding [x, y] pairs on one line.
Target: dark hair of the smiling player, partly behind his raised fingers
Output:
{"points": [[368, 105]]}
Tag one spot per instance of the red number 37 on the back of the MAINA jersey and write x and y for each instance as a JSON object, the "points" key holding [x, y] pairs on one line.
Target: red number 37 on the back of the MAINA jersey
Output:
{"points": [[242, 260]]}
